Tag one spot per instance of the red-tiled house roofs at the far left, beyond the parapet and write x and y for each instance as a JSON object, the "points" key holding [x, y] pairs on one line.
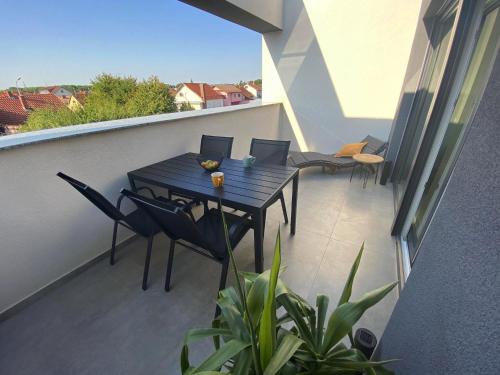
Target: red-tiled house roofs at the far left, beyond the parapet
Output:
{"points": [[15, 108]]}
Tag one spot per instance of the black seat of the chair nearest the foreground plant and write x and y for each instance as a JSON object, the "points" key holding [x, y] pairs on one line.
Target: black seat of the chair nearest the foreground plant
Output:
{"points": [[211, 225]]}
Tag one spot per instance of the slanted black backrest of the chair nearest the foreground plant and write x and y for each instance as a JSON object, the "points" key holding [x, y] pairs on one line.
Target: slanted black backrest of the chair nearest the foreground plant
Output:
{"points": [[170, 218]]}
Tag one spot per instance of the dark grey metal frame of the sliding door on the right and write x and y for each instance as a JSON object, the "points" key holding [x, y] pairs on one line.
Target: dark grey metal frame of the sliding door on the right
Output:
{"points": [[470, 20]]}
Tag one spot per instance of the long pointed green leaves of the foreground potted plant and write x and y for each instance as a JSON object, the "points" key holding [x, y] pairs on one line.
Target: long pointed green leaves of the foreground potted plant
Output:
{"points": [[250, 338]]}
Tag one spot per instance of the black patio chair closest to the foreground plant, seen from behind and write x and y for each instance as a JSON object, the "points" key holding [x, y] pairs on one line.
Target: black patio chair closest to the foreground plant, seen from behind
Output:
{"points": [[204, 236]]}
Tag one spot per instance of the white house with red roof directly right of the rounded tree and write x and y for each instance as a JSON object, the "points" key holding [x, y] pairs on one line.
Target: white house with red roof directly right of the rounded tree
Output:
{"points": [[198, 96]]}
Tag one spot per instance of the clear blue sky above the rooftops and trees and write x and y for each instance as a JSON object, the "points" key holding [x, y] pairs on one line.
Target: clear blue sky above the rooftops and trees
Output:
{"points": [[64, 42]]}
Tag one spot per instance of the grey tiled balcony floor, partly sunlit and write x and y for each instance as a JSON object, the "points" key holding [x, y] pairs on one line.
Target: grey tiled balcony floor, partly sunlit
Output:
{"points": [[101, 322]]}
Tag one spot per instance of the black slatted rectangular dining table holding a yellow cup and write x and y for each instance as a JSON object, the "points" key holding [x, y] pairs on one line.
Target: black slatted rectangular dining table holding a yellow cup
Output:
{"points": [[250, 190]]}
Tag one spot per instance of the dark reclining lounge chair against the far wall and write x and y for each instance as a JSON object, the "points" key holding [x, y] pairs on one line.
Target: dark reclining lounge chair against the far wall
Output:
{"points": [[315, 159]]}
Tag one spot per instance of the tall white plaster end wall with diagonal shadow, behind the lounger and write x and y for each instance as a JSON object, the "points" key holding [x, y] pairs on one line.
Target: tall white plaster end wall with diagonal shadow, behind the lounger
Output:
{"points": [[338, 67]]}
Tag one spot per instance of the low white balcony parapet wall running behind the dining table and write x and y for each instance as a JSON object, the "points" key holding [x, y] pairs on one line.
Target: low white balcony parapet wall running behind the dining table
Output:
{"points": [[48, 229]]}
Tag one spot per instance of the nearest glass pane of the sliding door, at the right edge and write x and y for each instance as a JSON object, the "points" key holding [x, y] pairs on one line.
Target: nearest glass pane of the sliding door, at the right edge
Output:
{"points": [[476, 77]]}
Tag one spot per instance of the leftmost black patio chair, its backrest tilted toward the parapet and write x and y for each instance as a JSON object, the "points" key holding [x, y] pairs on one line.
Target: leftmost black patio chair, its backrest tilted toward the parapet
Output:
{"points": [[137, 221]]}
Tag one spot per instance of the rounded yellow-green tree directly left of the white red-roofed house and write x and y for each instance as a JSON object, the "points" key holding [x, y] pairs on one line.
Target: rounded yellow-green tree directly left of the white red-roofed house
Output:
{"points": [[150, 97]]}
